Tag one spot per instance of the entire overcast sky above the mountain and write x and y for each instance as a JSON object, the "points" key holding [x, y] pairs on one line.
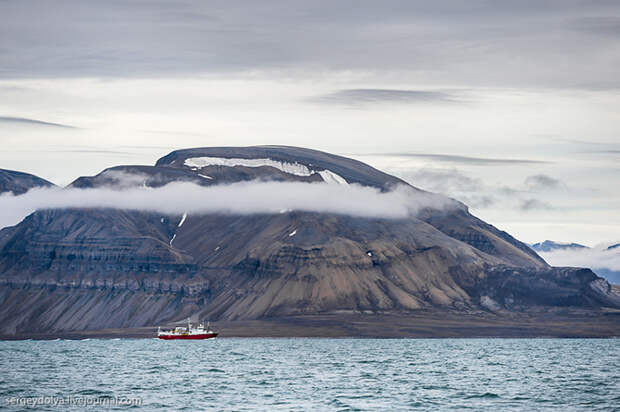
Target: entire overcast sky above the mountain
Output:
{"points": [[512, 107]]}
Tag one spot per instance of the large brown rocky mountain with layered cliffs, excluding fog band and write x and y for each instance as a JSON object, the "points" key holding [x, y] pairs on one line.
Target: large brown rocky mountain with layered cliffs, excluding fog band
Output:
{"points": [[75, 269]]}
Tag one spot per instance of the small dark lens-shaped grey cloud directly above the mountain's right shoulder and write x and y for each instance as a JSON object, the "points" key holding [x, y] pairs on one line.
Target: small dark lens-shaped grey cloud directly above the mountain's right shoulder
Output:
{"points": [[370, 96]]}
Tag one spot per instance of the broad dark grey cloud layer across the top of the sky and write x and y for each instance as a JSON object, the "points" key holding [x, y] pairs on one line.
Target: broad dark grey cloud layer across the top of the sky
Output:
{"points": [[479, 43]]}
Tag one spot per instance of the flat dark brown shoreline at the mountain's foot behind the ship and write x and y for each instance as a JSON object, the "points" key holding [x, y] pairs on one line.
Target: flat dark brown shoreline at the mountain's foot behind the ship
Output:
{"points": [[578, 324]]}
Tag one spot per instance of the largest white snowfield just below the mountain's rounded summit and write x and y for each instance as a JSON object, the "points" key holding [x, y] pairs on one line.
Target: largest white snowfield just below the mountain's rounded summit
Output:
{"points": [[290, 168]]}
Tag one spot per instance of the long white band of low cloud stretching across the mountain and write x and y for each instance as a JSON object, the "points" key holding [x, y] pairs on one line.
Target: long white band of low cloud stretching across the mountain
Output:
{"points": [[238, 198]]}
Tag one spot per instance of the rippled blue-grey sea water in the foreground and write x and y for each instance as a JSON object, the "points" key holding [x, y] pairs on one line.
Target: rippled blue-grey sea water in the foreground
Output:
{"points": [[318, 374]]}
